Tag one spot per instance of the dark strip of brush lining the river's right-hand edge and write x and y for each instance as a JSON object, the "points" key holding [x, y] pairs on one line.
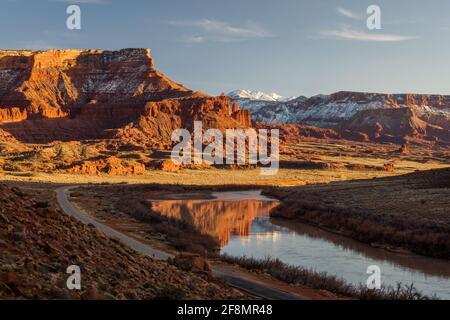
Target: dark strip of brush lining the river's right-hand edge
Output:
{"points": [[429, 240]]}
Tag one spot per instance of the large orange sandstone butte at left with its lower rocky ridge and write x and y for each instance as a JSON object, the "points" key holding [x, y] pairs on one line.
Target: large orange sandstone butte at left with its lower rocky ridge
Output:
{"points": [[70, 95]]}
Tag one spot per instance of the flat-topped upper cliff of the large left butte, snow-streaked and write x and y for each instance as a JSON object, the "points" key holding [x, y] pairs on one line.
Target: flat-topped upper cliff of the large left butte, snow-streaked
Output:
{"points": [[52, 83]]}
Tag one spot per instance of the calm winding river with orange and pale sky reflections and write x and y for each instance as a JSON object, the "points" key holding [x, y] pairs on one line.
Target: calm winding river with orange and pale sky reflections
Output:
{"points": [[240, 222]]}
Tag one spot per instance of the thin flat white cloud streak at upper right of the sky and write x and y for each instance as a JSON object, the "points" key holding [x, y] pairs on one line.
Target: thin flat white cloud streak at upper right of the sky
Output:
{"points": [[348, 33]]}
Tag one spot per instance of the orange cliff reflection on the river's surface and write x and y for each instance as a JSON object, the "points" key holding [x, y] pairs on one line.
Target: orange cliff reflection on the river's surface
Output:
{"points": [[219, 218]]}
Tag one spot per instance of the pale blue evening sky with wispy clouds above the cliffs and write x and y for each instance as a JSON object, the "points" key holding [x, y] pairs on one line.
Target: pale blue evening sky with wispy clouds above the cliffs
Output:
{"points": [[292, 47]]}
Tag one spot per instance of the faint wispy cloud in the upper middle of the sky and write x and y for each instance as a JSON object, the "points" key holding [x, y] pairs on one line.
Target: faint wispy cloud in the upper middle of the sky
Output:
{"points": [[215, 30]]}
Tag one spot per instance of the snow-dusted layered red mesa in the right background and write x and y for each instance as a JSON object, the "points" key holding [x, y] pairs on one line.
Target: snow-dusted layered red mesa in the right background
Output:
{"points": [[366, 116]]}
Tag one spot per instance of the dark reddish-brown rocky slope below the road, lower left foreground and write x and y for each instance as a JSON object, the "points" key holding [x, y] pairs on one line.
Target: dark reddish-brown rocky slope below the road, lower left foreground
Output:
{"points": [[38, 244]]}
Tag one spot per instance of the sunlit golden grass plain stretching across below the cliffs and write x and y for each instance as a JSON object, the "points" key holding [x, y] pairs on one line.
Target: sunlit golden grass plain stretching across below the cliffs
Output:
{"points": [[309, 162]]}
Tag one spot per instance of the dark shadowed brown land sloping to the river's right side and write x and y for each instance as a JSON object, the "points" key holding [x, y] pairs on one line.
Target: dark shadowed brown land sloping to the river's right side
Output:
{"points": [[405, 213]]}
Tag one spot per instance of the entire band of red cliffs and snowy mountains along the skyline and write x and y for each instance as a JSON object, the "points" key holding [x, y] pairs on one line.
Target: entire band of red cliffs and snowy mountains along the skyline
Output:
{"points": [[73, 95]]}
